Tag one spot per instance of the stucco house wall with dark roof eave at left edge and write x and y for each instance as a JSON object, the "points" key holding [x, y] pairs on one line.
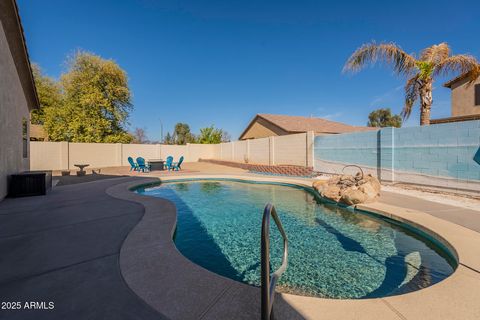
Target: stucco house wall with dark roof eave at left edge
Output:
{"points": [[17, 95]]}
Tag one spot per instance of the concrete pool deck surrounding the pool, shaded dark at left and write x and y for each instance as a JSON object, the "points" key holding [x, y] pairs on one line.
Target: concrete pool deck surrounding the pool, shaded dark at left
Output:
{"points": [[147, 278]]}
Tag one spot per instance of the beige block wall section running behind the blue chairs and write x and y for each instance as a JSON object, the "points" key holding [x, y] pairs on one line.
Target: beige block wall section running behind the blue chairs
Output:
{"points": [[295, 149]]}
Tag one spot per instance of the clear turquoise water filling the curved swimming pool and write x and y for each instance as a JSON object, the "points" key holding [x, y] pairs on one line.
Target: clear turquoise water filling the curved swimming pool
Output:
{"points": [[333, 252]]}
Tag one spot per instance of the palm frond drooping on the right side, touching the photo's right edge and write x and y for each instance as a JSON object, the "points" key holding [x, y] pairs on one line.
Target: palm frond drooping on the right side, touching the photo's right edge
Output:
{"points": [[459, 64]]}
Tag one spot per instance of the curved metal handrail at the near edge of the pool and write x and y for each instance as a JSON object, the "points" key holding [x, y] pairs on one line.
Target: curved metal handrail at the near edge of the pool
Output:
{"points": [[269, 283]]}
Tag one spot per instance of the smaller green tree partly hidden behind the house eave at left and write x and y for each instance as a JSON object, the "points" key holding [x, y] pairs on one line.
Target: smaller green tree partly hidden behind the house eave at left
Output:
{"points": [[49, 94]]}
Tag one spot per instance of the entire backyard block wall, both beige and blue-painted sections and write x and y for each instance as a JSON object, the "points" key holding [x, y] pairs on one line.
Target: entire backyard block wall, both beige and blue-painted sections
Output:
{"points": [[442, 155]]}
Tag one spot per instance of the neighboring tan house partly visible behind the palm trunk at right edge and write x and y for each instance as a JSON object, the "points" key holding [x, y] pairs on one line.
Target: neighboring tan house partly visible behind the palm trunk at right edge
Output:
{"points": [[465, 100]]}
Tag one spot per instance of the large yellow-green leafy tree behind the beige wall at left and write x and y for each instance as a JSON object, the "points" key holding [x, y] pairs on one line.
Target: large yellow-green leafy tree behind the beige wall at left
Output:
{"points": [[97, 102]]}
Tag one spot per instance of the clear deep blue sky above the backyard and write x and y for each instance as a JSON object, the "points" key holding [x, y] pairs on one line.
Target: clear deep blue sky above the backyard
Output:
{"points": [[221, 62]]}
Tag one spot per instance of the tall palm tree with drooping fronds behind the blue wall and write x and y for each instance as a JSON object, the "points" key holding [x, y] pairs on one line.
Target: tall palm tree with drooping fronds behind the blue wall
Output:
{"points": [[420, 72]]}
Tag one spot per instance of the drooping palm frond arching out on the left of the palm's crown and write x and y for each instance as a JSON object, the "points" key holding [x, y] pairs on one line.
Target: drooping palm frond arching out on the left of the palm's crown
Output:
{"points": [[403, 63]]}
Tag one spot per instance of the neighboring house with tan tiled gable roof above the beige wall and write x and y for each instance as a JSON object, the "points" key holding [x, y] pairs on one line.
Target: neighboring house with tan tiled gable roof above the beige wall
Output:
{"points": [[266, 125]]}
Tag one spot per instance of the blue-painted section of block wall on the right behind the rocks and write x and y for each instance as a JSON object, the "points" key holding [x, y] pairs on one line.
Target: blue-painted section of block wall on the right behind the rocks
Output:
{"points": [[439, 155]]}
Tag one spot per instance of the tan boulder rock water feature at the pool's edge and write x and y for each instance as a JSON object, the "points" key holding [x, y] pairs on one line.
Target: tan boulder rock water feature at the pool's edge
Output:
{"points": [[350, 189]]}
